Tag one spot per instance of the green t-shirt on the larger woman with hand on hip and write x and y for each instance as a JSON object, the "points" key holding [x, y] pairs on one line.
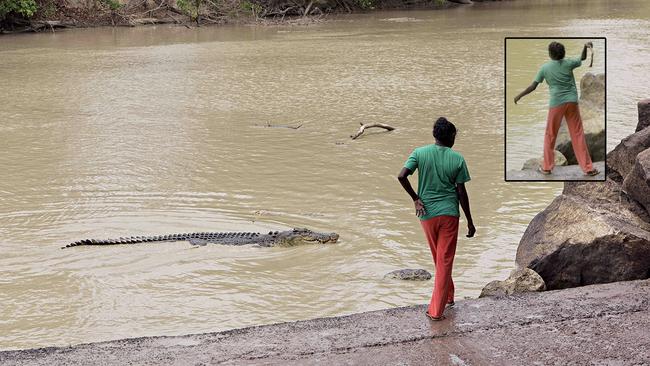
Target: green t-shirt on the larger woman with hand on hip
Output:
{"points": [[439, 170]]}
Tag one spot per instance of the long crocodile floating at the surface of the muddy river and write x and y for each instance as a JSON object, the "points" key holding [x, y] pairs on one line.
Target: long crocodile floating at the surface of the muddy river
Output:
{"points": [[273, 238]]}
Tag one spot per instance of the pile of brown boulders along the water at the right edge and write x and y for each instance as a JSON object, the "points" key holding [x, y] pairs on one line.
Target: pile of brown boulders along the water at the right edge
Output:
{"points": [[594, 232]]}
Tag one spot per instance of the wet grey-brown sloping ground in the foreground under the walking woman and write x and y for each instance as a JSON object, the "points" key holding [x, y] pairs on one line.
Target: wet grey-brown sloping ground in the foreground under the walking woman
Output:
{"points": [[601, 324]]}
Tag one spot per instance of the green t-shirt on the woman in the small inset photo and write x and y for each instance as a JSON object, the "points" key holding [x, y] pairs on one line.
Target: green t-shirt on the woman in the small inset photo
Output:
{"points": [[559, 77]]}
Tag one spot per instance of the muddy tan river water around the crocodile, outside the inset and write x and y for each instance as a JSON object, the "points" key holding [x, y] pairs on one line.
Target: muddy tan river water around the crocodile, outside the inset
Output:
{"points": [[153, 130]]}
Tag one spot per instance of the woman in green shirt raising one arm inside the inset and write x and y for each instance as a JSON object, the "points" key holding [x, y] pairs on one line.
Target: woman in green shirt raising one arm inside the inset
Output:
{"points": [[563, 103]]}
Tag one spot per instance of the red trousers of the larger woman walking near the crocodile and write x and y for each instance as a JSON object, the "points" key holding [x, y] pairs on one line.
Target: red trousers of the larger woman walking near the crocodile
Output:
{"points": [[442, 234]]}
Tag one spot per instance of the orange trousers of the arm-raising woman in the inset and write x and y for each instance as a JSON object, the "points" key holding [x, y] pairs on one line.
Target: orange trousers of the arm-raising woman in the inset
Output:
{"points": [[572, 114]]}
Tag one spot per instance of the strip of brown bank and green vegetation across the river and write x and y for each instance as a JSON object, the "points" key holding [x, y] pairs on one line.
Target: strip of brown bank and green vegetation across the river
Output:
{"points": [[47, 15]]}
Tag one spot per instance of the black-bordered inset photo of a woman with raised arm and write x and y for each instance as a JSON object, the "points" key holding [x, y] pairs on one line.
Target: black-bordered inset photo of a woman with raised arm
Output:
{"points": [[555, 109]]}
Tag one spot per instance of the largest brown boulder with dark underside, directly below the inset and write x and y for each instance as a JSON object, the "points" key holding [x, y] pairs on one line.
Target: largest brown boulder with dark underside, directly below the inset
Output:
{"points": [[592, 233]]}
